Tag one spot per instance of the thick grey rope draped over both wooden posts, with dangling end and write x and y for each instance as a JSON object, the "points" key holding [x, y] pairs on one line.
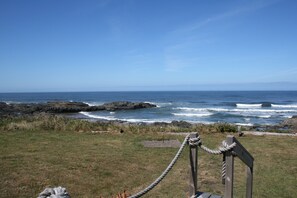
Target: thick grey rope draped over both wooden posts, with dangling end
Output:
{"points": [[192, 142]]}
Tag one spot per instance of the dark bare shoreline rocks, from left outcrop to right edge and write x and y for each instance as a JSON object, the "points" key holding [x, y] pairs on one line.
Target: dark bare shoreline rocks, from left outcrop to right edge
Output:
{"points": [[66, 108]]}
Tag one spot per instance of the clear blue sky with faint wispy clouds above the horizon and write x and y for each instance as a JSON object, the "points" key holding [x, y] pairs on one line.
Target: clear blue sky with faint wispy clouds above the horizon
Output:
{"points": [[123, 45]]}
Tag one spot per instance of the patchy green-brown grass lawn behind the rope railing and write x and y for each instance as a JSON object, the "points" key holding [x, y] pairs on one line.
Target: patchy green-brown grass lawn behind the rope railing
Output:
{"points": [[90, 165]]}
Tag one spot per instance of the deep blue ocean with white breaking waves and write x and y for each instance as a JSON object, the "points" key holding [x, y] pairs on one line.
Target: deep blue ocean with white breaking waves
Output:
{"points": [[246, 108]]}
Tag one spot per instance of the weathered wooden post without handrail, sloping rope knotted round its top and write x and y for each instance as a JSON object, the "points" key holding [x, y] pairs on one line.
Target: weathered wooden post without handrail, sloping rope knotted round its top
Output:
{"points": [[193, 156]]}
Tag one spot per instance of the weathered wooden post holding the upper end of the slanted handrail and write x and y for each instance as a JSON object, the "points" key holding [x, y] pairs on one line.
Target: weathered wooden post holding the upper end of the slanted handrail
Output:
{"points": [[229, 170]]}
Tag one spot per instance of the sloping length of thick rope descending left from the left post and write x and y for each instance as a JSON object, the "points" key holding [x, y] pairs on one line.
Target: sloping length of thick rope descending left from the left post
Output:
{"points": [[169, 167]]}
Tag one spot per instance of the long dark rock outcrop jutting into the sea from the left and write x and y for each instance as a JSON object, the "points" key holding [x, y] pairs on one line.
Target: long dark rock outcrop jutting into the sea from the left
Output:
{"points": [[67, 107]]}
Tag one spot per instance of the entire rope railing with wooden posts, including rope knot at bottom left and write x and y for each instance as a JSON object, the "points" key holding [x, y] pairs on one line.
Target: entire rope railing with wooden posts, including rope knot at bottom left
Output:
{"points": [[229, 150]]}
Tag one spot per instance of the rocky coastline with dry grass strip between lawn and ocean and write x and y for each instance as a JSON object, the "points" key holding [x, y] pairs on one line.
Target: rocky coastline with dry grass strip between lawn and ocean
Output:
{"points": [[67, 112]]}
